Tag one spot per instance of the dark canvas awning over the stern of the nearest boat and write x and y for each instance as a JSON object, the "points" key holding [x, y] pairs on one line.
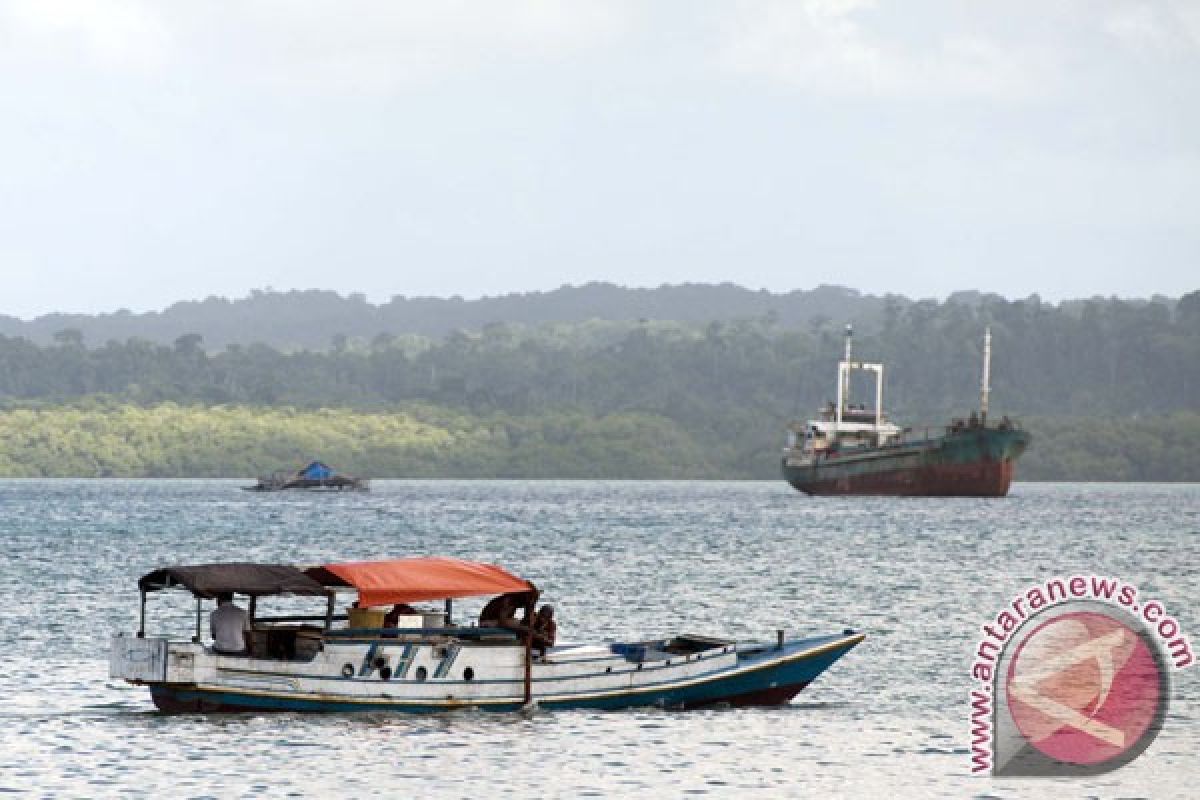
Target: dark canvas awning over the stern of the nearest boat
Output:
{"points": [[211, 580]]}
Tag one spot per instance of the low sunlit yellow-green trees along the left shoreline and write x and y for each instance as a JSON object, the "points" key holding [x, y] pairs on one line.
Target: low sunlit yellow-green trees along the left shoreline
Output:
{"points": [[170, 441]]}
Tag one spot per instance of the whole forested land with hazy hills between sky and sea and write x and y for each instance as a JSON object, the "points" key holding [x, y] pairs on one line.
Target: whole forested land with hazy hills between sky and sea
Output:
{"points": [[590, 382]]}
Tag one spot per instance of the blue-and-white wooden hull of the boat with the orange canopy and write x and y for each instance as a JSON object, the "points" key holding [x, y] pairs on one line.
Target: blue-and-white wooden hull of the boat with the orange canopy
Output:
{"points": [[749, 677]]}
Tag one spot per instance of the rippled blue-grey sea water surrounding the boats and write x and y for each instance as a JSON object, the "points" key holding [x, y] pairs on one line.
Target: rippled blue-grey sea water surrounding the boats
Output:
{"points": [[617, 561]]}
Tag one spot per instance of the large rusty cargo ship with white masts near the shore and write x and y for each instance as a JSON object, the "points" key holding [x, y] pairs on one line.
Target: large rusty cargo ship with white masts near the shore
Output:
{"points": [[851, 449]]}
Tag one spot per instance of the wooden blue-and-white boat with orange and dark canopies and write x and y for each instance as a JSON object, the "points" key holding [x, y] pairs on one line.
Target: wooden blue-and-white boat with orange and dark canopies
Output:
{"points": [[422, 661]]}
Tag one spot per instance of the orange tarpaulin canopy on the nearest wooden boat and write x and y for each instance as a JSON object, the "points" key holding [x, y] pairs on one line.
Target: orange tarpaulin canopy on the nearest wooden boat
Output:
{"points": [[407, 581]]}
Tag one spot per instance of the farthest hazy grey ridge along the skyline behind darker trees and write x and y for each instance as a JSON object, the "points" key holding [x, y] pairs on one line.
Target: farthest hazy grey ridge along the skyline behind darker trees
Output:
{"points": [[311, 320]]}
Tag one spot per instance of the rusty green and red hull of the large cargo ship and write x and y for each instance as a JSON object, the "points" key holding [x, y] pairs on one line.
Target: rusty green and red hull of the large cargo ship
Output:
{"points": [[976, 462]]}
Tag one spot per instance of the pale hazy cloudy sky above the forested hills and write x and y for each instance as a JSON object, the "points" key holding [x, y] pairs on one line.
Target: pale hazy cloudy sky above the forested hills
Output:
{"points": [[161, 152]]}
